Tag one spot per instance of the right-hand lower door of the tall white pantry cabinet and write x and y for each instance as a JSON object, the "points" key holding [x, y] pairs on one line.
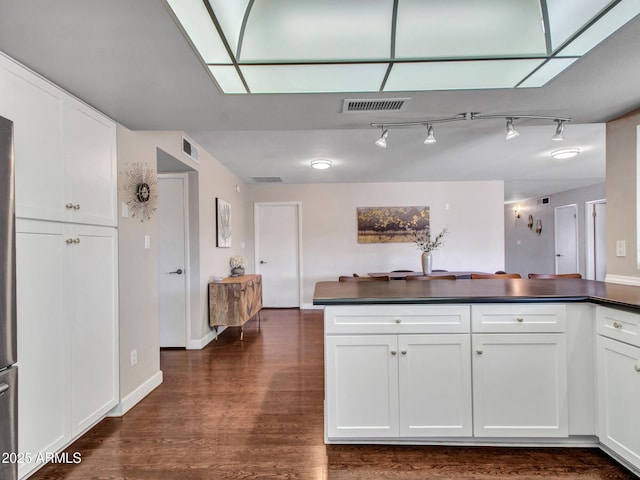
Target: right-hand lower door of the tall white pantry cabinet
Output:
{"points": [[94, 333]]}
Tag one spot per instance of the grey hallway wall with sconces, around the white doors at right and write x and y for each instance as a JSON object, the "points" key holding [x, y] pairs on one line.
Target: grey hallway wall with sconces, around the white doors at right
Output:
{"points": [[525, 251]]}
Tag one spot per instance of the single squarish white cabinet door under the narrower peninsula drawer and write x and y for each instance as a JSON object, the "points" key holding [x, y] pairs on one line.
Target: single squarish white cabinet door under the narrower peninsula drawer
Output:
{"points": [[520, 385]]}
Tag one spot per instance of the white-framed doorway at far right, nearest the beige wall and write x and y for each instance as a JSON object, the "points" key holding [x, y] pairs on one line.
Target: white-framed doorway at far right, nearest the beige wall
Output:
{"points": [[596, 258]]}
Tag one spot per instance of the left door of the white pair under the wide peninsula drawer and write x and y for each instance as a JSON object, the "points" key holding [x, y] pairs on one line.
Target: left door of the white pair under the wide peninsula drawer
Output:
{"points": [[361, 386]]}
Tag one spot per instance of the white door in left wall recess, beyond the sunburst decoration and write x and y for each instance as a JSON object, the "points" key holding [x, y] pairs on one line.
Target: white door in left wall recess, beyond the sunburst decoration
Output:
{"points": [[172, 281]]}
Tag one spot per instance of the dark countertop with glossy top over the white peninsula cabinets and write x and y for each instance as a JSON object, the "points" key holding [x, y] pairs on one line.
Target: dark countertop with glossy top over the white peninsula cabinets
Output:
{"points": [[477, 291]]}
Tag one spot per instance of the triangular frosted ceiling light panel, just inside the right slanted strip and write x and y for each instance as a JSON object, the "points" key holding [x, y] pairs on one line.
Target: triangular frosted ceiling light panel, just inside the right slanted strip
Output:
{"points": [[566, 17]]}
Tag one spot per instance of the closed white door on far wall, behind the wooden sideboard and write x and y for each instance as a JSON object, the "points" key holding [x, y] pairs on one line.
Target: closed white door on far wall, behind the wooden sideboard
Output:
{"points": [[277, 227]]}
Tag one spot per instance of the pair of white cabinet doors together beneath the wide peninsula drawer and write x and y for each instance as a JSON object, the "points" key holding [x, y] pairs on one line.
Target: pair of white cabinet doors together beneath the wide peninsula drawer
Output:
{"points": [[382, 386]]}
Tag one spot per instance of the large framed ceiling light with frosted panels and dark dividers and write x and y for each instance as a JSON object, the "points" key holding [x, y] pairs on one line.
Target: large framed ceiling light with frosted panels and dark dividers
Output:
{"points": [[261, 46]]}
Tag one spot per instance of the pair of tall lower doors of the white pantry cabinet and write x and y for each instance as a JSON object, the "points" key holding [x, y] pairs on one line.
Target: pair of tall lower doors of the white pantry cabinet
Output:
{"points": [[67, 332]]}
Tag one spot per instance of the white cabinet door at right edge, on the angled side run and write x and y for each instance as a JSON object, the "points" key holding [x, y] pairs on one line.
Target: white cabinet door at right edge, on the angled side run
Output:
{"points": [[619, 397]]}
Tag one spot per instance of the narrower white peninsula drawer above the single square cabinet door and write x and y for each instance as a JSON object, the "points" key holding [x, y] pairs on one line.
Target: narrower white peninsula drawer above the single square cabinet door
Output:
{"points": [[518, 318]]}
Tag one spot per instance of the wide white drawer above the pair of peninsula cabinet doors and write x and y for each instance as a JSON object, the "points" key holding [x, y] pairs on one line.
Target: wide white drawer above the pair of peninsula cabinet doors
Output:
{"points": [[397, 319]]}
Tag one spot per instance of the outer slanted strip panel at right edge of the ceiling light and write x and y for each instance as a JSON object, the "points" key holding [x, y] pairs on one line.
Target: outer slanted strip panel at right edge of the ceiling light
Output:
{"points": [[612, 21]]}
